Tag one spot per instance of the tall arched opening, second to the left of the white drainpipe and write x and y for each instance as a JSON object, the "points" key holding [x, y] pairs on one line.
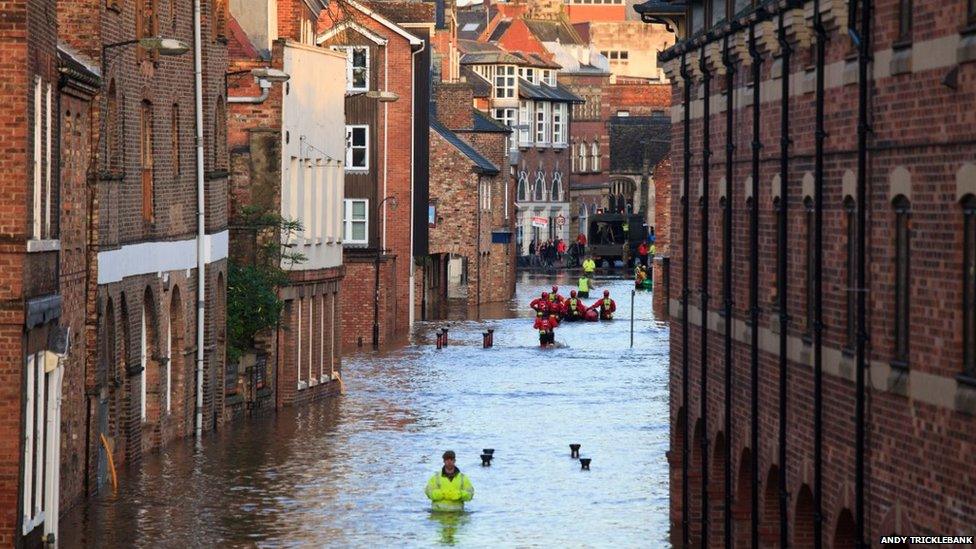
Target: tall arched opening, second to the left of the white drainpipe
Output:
{"points": [[153, 373]]}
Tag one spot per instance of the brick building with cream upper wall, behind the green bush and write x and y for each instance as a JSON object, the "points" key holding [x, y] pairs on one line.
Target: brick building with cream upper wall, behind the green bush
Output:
{"points": [[287, 157]]}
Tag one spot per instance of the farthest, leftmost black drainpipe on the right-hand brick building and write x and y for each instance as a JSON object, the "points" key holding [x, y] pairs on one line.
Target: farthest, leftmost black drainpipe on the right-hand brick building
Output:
{"points": [[685, 490]]}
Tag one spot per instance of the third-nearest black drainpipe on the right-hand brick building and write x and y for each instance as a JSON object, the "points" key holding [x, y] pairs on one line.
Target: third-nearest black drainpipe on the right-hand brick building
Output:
{"points": [[784, 317]]}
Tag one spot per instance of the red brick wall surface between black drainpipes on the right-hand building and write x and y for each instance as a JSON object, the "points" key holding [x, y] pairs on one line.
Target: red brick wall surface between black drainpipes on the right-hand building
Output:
{"points": [[920, 450]]}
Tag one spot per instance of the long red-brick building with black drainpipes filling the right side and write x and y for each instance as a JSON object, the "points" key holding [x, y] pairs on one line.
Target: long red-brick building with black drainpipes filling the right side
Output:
{"points": [[833, 400]]}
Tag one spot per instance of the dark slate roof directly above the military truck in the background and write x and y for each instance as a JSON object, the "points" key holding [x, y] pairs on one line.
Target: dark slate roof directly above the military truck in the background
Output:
{"points": [[633, 137]]}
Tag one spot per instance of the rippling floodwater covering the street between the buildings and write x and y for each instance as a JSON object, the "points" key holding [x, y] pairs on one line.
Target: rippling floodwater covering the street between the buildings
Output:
{"points": [[350, 471]]}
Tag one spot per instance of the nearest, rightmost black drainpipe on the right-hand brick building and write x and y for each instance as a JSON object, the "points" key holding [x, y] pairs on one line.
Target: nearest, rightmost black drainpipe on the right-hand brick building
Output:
{"points": [[863, 40]]}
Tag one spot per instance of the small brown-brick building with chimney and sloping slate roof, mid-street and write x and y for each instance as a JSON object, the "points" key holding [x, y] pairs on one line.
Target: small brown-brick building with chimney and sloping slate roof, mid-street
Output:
{"points": [[472, 212]]}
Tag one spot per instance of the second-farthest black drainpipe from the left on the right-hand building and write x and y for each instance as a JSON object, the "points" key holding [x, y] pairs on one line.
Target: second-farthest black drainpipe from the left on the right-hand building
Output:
{"points": [[706, 158]]}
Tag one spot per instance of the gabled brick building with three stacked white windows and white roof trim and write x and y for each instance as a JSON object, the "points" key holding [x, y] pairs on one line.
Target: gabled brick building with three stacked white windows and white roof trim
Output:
{"points": [[387, 101]]}
